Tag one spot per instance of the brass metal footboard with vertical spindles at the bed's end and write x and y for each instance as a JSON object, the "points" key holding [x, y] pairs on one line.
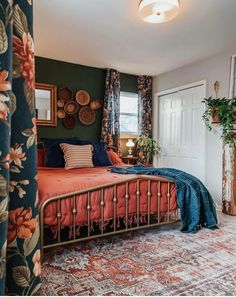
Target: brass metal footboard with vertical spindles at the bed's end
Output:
{"points": [[170, 216]]}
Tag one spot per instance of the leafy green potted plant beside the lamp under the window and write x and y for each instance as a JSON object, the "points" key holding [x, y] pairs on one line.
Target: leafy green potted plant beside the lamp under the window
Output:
{"points": [[147, 148]]}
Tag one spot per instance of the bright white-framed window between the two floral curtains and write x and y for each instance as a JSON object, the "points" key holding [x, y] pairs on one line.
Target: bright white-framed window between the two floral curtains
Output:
{"points": [[128, 114]]}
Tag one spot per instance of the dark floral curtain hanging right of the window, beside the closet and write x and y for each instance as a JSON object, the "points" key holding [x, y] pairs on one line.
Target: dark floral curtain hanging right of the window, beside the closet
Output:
{"points": [[145, 111]]}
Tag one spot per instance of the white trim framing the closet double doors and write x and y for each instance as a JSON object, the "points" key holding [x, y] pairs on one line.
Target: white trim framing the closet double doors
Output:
{"points": [[156, 112]]}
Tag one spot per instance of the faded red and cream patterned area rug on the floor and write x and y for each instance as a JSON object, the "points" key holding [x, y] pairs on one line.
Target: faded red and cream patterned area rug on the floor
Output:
{"points": [[161, 261]]}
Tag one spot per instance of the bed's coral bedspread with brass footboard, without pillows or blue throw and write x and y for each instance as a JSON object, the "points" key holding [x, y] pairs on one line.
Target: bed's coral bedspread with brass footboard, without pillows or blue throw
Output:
{"points": [[81, 204]]}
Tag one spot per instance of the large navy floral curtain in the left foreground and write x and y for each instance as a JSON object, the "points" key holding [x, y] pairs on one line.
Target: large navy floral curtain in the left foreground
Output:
{"points": [[19, 224]]}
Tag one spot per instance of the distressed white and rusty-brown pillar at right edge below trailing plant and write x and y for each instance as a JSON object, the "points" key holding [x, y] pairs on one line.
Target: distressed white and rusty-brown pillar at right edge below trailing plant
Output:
{"points": [[229, 179]]}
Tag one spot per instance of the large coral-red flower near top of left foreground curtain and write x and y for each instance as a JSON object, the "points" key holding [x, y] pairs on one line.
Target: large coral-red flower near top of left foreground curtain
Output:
{"points": [[24, 51]]}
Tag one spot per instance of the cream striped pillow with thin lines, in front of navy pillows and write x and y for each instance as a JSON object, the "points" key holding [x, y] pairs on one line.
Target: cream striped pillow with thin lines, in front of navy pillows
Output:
{"points": [[77, 156]]}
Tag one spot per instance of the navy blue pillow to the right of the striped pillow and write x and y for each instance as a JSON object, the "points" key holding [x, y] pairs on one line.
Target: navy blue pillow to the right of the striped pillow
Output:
{"points": [[100, 156]]}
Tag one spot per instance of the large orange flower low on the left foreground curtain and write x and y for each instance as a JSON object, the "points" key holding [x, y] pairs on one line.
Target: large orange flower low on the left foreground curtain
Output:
{"points": [[21, 224]]}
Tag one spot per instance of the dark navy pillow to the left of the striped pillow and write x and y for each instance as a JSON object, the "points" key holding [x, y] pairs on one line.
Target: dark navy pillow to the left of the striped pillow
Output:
{"points": [[54, 154]]}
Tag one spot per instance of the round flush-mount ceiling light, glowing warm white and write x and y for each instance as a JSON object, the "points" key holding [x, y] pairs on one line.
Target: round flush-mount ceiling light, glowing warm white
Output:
{"points": [[158, 11]]}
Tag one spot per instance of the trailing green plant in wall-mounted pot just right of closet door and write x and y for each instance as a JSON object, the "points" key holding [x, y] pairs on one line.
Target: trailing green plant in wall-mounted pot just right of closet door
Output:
{"points": [[211, 114]]}
